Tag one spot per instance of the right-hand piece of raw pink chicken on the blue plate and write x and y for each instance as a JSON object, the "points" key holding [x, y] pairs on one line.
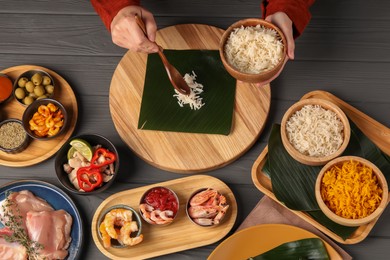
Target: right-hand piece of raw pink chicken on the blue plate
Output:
{"points": [[52, 230]]}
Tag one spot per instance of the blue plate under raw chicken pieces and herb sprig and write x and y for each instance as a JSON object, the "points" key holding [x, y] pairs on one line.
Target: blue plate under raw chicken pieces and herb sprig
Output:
{"points": [[58, 200]]}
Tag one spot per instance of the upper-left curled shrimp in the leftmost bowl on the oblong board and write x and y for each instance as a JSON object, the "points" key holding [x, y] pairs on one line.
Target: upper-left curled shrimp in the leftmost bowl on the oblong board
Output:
{"points": [[116, 217]]}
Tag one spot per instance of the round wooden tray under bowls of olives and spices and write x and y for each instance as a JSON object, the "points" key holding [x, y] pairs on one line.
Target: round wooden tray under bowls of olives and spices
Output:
{"points": [[39, 151]]}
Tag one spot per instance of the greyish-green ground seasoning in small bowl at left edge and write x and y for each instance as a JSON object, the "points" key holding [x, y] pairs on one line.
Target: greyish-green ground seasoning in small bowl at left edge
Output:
{"points": [[12, 135]]}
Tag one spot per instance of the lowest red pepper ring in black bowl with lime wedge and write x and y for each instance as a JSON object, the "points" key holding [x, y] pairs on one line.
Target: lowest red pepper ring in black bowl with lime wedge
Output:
{"points": [[89, 178]]}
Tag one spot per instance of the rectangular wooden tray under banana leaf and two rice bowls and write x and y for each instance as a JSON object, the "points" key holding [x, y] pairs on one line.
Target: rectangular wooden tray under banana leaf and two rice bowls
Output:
{"points": [[377, 133]]}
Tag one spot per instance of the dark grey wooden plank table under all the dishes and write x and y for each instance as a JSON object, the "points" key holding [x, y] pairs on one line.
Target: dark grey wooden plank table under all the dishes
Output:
{"points": [[345, 50]]}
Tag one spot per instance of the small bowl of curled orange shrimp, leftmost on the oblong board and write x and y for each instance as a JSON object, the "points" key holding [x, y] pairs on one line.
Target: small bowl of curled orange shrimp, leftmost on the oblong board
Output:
{"points": [[120, 226]]}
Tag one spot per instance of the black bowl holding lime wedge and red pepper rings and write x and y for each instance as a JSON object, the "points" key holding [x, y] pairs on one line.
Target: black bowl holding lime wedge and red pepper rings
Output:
{"points": [[87, 164]]}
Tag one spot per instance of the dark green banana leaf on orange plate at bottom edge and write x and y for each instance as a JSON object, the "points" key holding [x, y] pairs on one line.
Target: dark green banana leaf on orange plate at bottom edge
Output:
{"points": [[309, 248]]}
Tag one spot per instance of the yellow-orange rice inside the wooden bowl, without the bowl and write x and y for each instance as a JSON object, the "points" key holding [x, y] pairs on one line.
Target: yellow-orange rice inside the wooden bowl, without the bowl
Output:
{"points": [[351, 190]]}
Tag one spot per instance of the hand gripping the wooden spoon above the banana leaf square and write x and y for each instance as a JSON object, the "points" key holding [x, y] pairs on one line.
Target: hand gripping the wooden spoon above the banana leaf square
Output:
{"points": [[126, 33]]}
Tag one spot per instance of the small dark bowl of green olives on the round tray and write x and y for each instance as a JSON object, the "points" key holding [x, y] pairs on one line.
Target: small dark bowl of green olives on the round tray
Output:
{"points": [[32, 85]]}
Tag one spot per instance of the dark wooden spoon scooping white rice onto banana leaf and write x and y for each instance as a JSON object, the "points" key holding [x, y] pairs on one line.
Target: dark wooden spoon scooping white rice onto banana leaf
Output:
{"points": [[173, 74]]}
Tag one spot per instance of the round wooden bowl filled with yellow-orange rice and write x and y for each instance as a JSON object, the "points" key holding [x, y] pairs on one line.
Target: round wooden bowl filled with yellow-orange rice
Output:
{"points": [[351, 191]]}
